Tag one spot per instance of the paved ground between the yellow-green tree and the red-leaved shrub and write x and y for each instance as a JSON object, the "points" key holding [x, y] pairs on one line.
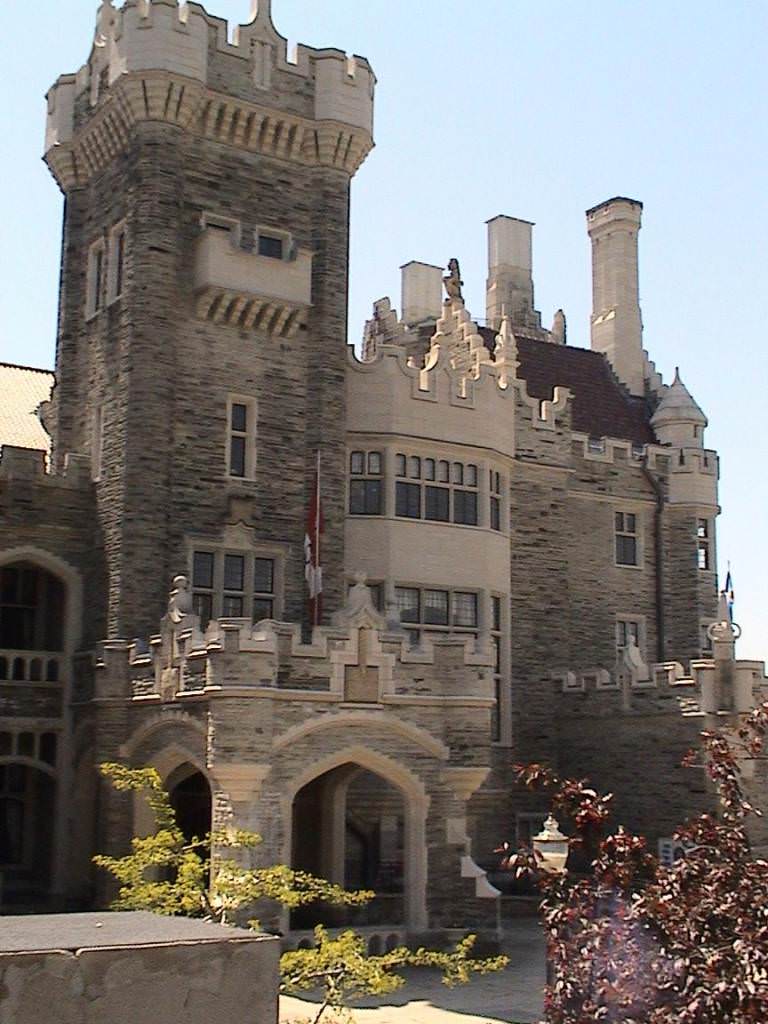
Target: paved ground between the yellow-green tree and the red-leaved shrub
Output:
{"points": [[510, 996]]}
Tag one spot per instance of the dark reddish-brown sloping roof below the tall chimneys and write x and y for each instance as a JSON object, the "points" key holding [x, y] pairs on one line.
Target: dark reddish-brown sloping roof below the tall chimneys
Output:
{"points": [[603, 408]]}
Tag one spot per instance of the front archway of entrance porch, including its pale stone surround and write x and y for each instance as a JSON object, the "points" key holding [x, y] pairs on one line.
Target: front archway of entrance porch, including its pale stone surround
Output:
{"points": [[362, 793]]}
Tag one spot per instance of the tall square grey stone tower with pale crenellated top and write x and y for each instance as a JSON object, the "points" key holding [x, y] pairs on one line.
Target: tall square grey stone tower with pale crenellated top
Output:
{"points": [[202, 327]]}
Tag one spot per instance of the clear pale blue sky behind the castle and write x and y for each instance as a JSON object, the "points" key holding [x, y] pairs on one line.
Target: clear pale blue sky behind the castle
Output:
{"points": [[538, 110]]}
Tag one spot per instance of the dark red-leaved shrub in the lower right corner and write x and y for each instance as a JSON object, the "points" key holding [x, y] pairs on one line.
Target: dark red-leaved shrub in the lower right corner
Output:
{"points": [[638, 943]]}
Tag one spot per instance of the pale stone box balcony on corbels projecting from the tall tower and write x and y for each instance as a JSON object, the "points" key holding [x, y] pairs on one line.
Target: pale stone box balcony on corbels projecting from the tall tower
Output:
{"points": [[250, 292]]}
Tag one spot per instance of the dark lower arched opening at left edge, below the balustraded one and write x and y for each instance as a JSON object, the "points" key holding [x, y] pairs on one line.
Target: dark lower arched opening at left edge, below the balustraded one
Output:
{"points": [[27, 810]]}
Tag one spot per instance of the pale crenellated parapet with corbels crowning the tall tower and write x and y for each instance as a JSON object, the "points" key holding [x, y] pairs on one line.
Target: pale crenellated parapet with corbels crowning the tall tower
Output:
{"points": [[180, 66]]}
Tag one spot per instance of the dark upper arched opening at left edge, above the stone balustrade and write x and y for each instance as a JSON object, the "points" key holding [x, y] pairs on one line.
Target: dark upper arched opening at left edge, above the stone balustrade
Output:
{"points": [[32, 609]]}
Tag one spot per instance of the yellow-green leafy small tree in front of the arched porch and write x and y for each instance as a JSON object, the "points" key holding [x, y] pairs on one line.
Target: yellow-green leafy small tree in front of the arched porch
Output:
{"points": [[167, 875]]}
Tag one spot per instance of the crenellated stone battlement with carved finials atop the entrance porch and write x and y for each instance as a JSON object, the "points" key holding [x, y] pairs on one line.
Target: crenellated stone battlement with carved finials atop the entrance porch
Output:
{"points": [[362, 660]]}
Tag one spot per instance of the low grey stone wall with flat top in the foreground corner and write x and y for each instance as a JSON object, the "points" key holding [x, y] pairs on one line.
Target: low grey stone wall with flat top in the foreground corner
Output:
{"points": [[135, 969]]}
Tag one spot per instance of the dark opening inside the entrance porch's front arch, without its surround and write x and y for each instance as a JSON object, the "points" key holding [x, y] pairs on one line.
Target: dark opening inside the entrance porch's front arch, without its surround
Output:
{"points": [[349, 826]]}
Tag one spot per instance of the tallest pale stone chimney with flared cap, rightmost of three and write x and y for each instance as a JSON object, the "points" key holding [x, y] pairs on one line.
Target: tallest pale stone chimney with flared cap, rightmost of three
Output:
{"points": [[617, 324]]}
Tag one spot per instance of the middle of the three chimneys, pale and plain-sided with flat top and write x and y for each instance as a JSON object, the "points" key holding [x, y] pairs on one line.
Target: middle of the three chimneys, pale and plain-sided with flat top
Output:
{"points": [[510, 284]]}
